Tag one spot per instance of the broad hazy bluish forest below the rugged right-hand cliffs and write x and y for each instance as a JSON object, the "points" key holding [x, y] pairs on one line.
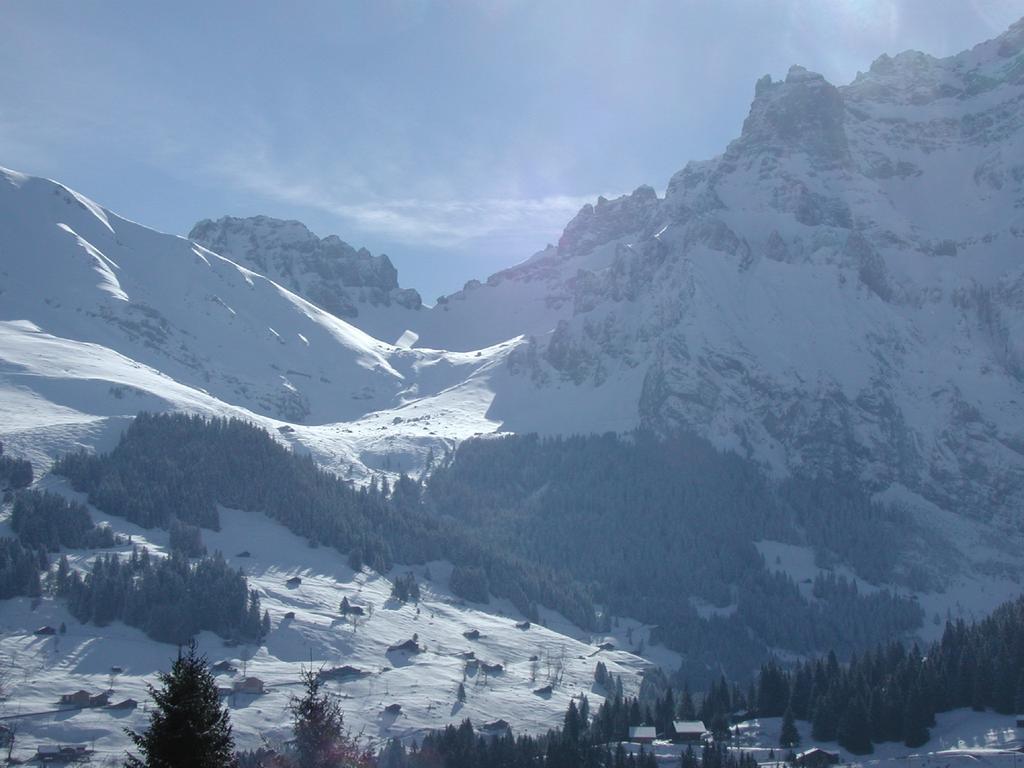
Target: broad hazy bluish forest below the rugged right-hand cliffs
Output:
{"points": [[650, 524]]}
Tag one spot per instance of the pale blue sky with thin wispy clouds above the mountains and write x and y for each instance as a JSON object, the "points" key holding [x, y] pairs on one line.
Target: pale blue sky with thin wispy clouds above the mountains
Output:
{"points": [[459, 138]]}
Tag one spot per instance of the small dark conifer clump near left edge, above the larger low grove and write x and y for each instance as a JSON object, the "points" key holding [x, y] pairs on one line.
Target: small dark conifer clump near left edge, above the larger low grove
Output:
{"points": [[48, 521]]}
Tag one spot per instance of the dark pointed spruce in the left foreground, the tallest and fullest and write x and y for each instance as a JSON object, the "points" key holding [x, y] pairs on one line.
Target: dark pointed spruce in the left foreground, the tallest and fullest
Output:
{"points": [[189, 729]]}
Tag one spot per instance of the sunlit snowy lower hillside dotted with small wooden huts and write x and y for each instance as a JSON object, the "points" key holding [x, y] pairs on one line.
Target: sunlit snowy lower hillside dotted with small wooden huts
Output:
{"points": [[425, 685]]}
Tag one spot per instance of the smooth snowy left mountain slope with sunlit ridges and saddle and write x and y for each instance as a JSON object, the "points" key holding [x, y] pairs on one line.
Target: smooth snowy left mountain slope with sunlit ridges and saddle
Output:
{"points": [[101, 318]]}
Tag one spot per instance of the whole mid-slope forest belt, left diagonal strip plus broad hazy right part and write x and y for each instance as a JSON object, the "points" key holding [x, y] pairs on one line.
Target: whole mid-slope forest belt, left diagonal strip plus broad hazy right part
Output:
{"points": [[661, 531]]}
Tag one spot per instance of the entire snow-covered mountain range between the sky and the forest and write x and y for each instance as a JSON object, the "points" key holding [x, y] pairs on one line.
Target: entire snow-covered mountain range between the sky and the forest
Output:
{"points": [[840, 292]]}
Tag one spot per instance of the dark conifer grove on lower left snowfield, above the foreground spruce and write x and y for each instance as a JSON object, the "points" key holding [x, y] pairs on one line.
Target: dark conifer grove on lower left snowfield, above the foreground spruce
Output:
{"points": [[169, 599]]}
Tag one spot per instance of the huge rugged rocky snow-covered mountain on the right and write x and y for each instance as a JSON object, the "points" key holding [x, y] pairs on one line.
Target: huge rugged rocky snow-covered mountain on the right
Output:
{"points": [[839, 292]]}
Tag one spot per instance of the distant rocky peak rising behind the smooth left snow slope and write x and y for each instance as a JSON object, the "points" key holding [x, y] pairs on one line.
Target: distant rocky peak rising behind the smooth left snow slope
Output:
{"points": [[351, 284]]}
